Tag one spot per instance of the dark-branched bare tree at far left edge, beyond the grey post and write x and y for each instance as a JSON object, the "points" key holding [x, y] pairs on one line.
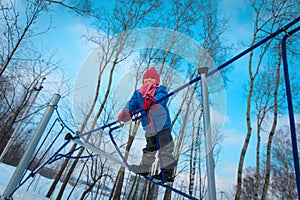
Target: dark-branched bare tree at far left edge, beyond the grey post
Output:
{"points": [[23, 63]]}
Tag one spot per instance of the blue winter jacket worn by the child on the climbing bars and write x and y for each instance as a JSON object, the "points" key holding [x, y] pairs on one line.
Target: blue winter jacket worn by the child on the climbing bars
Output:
{"points": [[158, 115]]}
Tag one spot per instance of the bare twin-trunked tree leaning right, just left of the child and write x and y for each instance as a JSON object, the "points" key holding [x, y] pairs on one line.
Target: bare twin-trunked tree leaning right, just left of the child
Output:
{"points": [[126, 17]]}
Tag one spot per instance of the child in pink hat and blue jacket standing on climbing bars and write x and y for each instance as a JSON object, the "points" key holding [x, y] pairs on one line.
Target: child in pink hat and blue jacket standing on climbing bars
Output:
{"points": [[155, 121]]}
